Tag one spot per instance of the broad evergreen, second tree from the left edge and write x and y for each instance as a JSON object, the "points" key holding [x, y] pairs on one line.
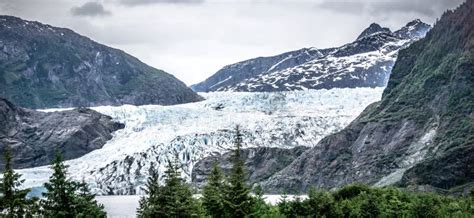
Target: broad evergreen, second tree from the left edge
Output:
{"points": [[68, 198]]}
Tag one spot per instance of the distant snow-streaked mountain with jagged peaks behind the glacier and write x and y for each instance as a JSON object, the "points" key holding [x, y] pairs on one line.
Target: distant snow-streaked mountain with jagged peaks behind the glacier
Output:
{"points": [[366, 62]]}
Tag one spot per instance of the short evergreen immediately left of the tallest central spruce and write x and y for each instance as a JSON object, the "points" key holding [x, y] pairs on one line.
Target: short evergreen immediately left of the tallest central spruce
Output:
{"points": [[213, 199]]}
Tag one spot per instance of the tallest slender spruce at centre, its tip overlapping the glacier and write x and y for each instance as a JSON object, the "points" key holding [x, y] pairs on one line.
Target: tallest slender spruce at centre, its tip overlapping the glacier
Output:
{"points": [[237, 200]]}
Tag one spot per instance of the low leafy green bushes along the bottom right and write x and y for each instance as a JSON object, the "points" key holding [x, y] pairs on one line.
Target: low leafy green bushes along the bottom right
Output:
{"points": [[362, 201]]}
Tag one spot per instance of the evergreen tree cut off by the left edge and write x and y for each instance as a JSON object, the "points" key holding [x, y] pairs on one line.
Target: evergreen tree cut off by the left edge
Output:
{"points": [[13, 202]]}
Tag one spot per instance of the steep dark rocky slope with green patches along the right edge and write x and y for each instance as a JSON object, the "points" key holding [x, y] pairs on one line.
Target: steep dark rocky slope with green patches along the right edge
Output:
{"points": [[421, 132]]}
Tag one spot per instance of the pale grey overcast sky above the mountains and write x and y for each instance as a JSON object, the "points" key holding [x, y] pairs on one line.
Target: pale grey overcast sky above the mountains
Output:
{"points": [[192, 39]]}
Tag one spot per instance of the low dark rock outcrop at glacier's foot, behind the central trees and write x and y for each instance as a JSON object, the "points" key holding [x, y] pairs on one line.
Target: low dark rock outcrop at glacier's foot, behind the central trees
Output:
{"points": [[261, 163]]}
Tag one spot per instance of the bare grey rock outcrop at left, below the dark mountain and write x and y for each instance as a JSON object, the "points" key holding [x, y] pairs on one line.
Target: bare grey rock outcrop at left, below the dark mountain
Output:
{"points": [[33, 136]]}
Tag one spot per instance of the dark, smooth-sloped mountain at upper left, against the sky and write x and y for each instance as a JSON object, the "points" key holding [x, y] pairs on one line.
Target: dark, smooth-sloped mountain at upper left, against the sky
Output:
{"points": [[43, 67]]}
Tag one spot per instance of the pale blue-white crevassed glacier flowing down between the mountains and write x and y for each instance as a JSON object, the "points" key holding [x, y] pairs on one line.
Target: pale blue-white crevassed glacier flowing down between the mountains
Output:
{"points": [[154, 134]]}
